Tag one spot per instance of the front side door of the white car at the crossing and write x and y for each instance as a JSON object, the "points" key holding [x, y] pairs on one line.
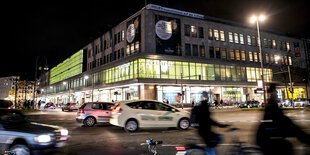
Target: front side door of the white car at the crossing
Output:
{"points": [[168, 116]]}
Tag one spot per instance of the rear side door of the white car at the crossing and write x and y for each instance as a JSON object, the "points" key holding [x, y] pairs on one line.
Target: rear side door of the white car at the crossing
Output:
{"points": [[148, 114]]}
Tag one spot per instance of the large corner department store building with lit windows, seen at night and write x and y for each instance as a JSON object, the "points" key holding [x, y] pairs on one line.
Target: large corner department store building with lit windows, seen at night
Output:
{"points": [[159, 53]]}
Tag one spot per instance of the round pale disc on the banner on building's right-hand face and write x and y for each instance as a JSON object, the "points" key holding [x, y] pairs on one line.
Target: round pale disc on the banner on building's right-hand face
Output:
{"points": [[163, 29]]}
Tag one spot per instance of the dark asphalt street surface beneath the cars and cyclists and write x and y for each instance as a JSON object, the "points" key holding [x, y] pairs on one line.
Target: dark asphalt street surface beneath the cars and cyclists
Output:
{"points": [[108, 139]]}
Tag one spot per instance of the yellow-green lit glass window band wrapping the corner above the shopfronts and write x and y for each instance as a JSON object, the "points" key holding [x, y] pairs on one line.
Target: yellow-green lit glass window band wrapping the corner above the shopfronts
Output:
{"points": [[162, 69]]}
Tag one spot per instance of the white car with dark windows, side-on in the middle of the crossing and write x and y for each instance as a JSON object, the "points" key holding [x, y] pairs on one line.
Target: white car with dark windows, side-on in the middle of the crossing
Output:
{"points": [[148, 113]]}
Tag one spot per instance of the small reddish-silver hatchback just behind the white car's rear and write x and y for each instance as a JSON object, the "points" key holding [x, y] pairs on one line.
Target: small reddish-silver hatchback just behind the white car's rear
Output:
{"points": [[92, 113]]}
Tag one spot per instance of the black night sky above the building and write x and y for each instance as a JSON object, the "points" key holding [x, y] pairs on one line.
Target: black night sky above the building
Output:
{"points": [[55, 30]]}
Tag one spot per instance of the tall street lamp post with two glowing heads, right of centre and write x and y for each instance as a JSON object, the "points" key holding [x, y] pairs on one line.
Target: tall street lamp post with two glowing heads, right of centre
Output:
{"points": [[253, 20]]}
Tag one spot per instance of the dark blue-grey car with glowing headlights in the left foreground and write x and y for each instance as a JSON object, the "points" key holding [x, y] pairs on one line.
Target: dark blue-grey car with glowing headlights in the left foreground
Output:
{"points": [[19, 136]]}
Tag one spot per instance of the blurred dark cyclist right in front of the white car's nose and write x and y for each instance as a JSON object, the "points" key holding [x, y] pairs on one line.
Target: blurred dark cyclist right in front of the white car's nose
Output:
{"points": [[205, 122]]}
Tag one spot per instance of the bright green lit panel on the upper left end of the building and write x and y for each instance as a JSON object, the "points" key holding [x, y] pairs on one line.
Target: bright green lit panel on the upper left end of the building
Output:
{"points": [[68, 68]]}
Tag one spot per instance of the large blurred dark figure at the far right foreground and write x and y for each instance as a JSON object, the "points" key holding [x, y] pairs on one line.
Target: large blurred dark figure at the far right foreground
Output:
{"points": [[275, 127]]}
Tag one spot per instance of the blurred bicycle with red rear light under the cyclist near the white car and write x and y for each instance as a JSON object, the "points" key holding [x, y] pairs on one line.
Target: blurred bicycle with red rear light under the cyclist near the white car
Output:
{"points": [[237, 148]]}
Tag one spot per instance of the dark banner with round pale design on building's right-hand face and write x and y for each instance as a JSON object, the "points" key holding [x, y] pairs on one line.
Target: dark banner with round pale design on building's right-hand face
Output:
{"points": [[168, 35]]}
